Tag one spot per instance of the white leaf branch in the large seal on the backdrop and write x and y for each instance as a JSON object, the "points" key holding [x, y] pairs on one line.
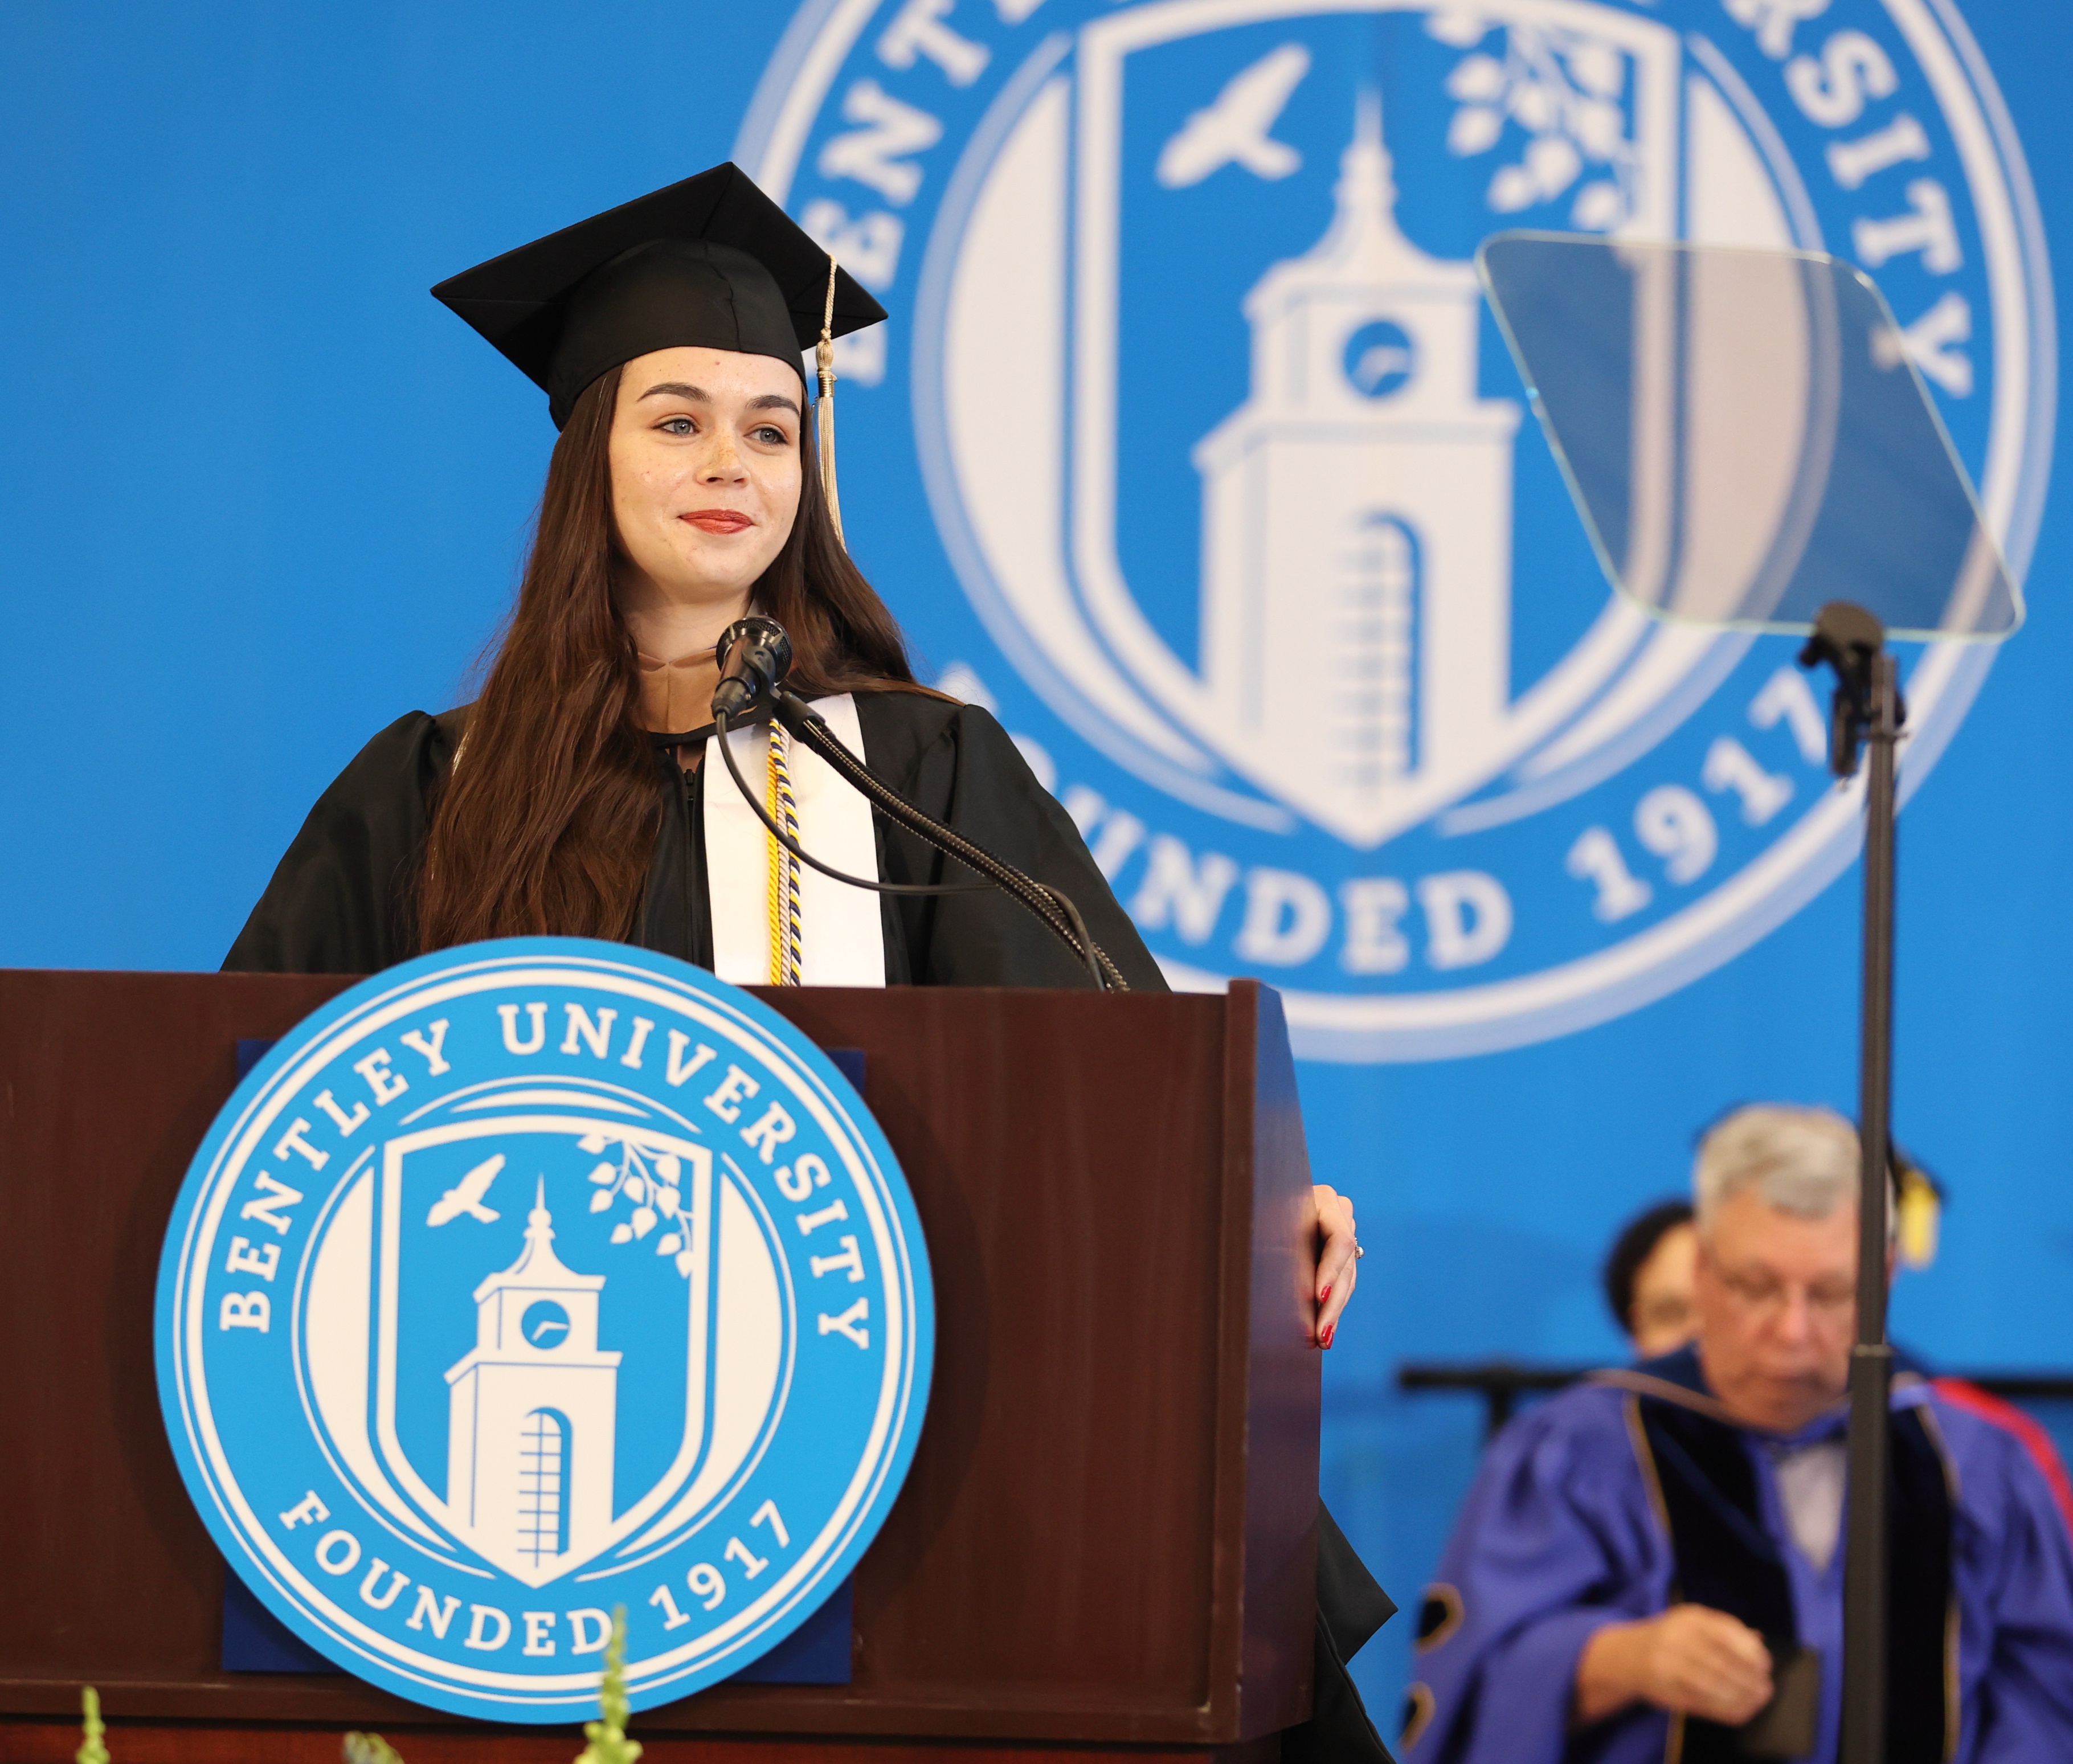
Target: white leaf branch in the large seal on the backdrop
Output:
{"points": [[1566, 92]]}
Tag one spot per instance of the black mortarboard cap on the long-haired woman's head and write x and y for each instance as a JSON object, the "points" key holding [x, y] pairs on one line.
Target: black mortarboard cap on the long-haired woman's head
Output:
{"points": [[708, 264]]}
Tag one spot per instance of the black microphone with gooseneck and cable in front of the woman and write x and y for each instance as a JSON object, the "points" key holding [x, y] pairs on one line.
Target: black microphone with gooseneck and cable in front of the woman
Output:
{"points": [[754, 658]]}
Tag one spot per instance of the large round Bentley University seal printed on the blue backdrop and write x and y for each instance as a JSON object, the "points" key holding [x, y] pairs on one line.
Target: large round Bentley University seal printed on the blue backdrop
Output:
{"points": [[1222, 449]]}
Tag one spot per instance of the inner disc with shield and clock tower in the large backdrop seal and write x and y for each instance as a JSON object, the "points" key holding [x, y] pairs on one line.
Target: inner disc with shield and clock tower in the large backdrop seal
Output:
{"points": [[1342, 642]]}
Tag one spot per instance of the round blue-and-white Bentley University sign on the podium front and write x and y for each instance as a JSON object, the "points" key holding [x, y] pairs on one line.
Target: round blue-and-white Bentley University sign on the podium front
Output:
{"points": [[526, 1282]]}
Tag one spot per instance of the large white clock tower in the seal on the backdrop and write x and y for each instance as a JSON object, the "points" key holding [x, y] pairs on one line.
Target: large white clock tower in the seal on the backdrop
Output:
{"points": [[1359, 507]]}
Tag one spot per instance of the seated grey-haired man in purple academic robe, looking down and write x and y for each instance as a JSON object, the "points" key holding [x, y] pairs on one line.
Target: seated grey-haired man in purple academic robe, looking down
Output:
{"points": [[1649, 1558]]}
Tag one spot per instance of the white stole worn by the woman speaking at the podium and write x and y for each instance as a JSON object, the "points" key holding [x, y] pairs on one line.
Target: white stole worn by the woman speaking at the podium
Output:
{"points": [[843, 936]]}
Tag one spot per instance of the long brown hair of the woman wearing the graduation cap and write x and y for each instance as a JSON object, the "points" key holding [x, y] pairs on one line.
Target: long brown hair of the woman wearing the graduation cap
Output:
{"points": [[548, 824]]}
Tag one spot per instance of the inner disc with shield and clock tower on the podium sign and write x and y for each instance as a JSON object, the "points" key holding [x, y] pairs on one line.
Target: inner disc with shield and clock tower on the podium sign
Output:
{"points": [[546, 1328]]}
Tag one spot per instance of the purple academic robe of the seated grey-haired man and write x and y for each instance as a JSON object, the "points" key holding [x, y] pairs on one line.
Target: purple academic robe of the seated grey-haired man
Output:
{"points": [[1560, 1537]]}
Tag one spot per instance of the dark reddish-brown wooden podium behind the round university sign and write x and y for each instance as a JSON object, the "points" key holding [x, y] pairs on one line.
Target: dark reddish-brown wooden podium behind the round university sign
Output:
{"points": [[1106, 1545]]}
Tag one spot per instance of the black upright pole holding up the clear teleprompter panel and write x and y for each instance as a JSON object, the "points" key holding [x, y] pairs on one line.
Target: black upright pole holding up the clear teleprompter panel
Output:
{"points": [[1871, 1369]]}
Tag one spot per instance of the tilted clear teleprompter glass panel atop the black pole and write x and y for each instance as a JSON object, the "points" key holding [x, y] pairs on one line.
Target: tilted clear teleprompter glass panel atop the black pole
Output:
{"points": [[1747, 438]]}
